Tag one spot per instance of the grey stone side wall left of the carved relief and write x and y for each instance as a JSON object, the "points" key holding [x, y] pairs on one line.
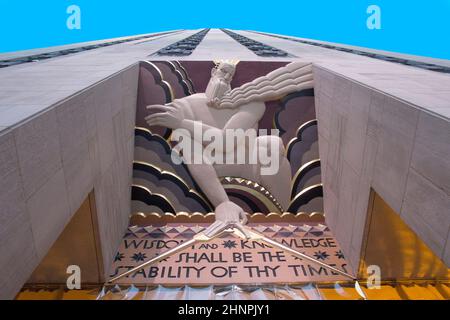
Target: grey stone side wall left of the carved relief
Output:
{"points": [[50, 163]]}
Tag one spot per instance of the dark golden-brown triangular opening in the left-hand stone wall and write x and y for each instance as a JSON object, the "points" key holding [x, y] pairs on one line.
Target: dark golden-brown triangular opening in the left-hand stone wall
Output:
{"points": [[78, 244]]}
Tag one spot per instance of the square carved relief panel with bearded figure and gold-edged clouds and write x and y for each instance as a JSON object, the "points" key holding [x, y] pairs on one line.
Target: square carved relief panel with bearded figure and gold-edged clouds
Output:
{"points": [[268, 95]]}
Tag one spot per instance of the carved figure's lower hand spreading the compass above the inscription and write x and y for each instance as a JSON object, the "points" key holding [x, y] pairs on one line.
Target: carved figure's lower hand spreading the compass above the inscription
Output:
{"points": [[228, 214]]}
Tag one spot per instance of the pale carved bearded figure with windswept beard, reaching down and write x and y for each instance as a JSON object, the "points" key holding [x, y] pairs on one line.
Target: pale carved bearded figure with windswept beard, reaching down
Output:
{"points": [[221, 109]]}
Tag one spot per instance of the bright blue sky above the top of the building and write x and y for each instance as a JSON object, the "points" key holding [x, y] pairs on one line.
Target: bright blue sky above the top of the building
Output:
{"points": [[415, 27]]}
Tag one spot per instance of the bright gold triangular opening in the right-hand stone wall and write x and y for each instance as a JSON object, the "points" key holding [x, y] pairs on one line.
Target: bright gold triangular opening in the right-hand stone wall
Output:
{"points": [[396, 249]]}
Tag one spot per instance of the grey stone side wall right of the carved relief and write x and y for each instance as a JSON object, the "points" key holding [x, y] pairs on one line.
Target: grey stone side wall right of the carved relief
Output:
{"points": [[370, 140]]}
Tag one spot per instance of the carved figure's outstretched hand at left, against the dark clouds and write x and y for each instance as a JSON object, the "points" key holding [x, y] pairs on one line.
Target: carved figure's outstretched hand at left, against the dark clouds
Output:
{"points": [[171, 116]]}
